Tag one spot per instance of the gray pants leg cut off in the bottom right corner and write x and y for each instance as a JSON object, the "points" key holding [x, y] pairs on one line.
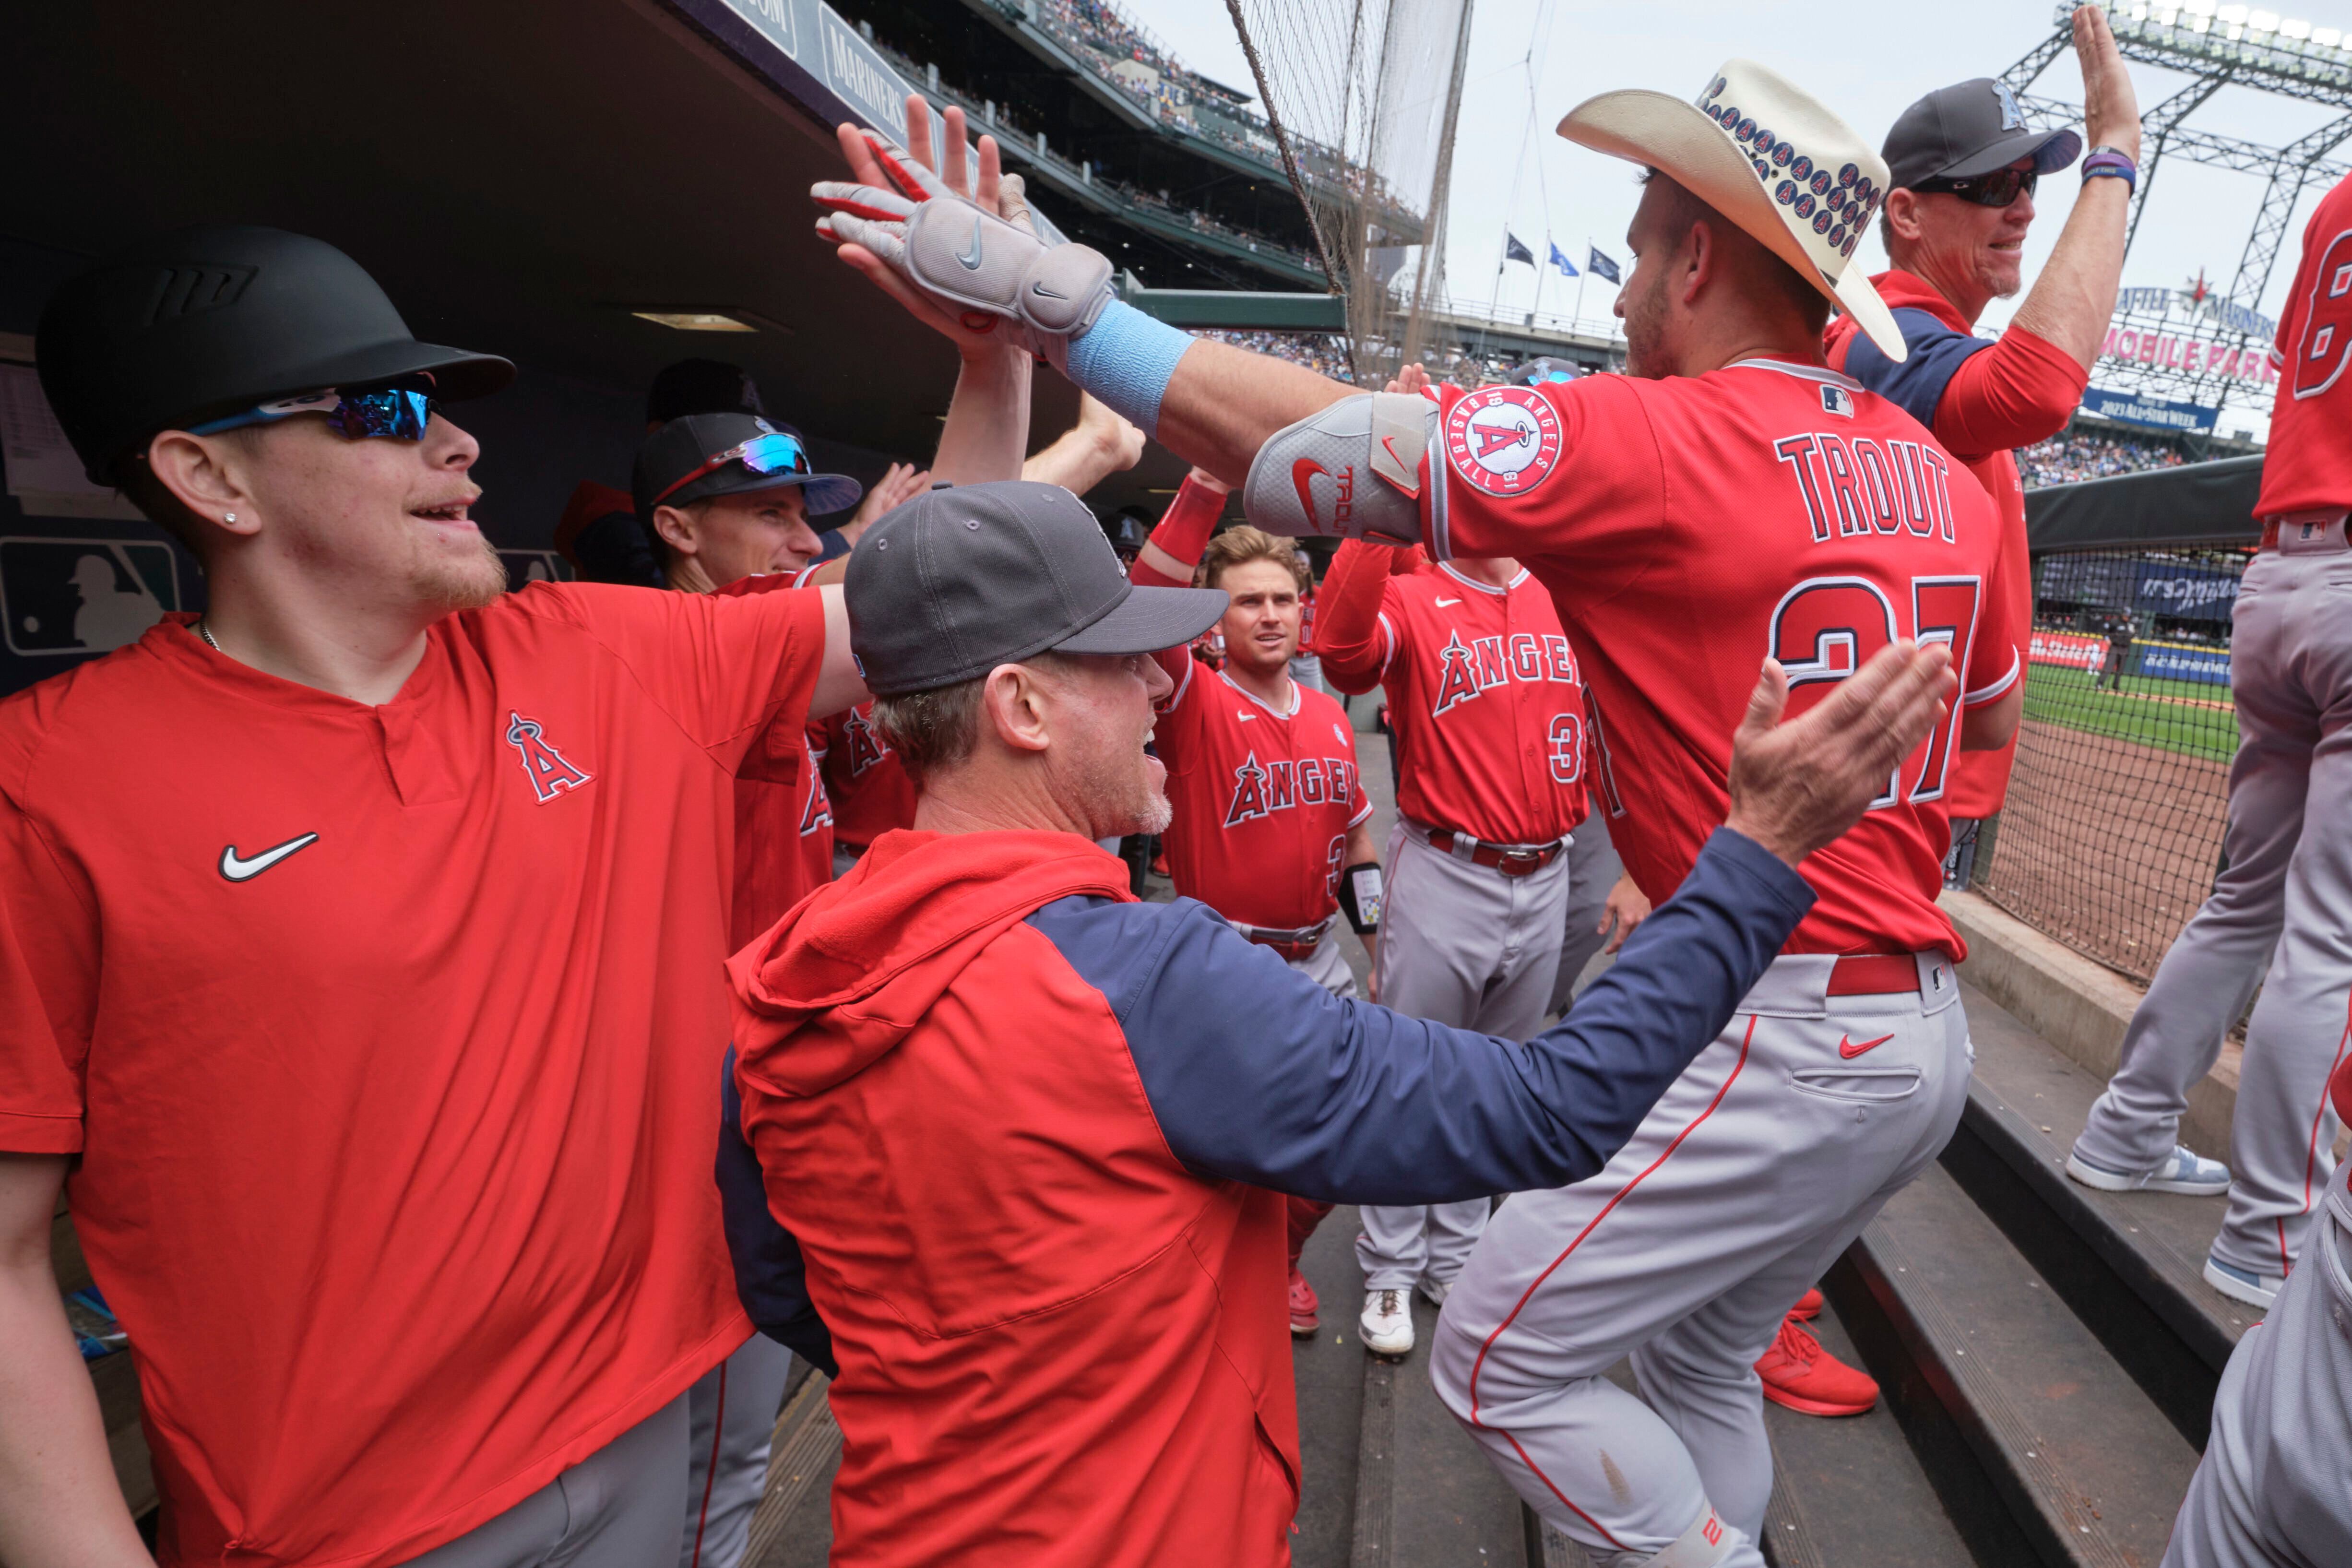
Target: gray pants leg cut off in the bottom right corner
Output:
{"points": [[2271, 1489]]}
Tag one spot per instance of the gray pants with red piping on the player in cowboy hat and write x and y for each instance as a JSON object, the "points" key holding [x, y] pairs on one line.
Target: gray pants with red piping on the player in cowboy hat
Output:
{"points": [[1758, 1167]]}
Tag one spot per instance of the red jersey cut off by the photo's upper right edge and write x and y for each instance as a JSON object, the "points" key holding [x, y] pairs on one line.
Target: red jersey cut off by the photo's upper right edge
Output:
{"points": [[2308, 462]]}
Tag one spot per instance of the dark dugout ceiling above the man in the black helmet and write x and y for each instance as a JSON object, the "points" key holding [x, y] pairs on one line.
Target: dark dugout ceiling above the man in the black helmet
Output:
{"points": [[516, 173]]}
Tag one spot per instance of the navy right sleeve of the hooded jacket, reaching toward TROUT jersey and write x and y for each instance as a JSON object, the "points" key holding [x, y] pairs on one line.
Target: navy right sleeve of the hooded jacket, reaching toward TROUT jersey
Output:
{"points": [[1257, 1073]]}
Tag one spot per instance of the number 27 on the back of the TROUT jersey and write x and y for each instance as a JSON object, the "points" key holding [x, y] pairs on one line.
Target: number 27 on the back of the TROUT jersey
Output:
{"points": [[1831, 626]]}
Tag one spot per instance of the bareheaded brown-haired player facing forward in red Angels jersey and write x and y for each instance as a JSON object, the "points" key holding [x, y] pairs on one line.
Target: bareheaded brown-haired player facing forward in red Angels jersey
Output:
{"points": [[1271, 824]]}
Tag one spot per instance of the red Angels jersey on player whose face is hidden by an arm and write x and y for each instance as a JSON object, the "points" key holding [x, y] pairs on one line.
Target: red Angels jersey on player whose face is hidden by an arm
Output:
{"points": [[1488, 706]]}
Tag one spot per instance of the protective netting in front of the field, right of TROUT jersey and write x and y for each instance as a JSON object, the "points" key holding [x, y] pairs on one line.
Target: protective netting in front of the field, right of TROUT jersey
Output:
{"points": [[2113, 829]]}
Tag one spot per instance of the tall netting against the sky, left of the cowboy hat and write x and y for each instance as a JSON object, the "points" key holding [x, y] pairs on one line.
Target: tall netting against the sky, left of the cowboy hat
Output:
{"points": [[1363, 100]]}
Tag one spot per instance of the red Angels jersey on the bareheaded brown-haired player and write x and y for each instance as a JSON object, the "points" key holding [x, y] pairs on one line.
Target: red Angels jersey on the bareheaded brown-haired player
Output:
{"points": [[1264, 800]]}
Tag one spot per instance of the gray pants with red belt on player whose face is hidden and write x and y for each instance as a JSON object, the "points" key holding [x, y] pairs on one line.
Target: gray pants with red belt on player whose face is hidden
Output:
{"points": [[1466, 946]]}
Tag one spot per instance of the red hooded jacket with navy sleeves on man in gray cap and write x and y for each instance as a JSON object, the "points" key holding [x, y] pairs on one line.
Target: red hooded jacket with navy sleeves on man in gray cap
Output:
{"points": [[1031, 1141]]}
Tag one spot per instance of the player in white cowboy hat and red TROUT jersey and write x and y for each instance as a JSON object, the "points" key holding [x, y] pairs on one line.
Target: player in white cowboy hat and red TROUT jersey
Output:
{"points": [[1728, 502]]}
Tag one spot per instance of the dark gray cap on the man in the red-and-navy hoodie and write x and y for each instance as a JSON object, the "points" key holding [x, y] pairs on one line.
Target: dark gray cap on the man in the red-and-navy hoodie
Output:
{"points": [[963, 579]]}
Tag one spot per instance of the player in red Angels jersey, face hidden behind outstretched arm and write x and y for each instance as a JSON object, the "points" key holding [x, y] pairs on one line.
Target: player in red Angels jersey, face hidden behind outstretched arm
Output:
{"points": [[1490, 730]]}
